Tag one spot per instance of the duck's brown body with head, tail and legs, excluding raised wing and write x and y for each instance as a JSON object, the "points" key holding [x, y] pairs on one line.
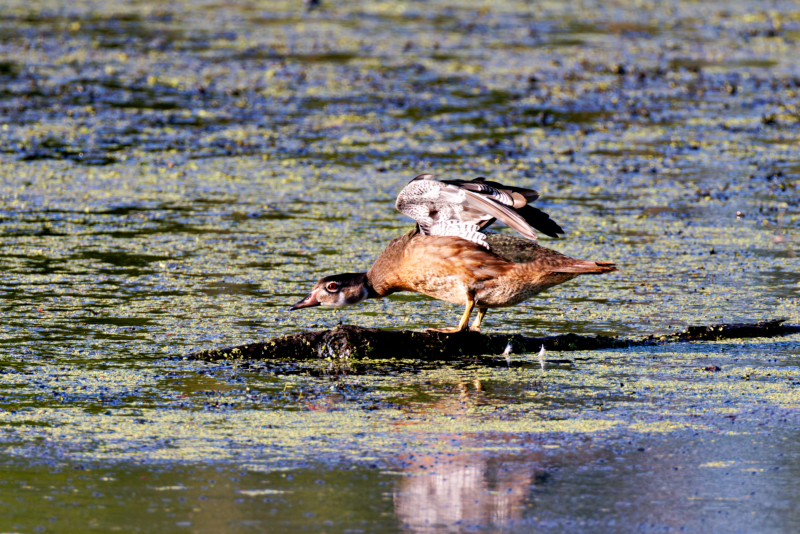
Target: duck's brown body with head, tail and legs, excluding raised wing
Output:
{"points": [[458, 271]]}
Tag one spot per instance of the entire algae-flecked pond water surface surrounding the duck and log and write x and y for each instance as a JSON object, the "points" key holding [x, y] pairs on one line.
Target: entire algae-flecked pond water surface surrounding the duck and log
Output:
{"points": [[174, 175]]}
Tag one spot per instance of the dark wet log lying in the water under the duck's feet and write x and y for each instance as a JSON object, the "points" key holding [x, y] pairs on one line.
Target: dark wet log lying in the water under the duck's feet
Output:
{"points": [[348, 341]]}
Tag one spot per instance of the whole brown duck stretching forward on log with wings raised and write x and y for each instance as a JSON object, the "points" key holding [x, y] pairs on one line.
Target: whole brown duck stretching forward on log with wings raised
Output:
{"points": [[450, 255]]}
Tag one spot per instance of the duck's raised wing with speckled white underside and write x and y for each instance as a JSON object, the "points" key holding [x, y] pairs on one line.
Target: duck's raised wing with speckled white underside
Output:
{"points": [[456, 207]]}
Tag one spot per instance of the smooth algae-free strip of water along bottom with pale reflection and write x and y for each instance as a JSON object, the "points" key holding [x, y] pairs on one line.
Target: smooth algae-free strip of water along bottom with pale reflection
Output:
{"points": [[637, 486]]}
